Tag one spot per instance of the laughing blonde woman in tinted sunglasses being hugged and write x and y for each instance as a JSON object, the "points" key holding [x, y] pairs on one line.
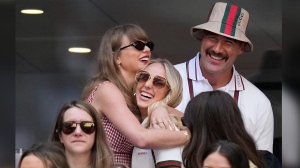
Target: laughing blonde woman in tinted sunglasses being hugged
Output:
{"points": [[158, 84]]}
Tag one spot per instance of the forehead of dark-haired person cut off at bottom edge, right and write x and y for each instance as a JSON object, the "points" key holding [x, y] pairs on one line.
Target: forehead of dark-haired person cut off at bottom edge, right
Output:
{"points": [[216, 160]]}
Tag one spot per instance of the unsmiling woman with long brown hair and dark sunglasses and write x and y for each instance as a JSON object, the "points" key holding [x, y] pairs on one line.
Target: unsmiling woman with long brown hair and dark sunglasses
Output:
{"points": [[78, 127]]}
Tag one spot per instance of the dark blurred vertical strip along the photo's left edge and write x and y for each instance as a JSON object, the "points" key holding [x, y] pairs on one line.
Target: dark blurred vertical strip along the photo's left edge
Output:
{"points": [[7, 84]]}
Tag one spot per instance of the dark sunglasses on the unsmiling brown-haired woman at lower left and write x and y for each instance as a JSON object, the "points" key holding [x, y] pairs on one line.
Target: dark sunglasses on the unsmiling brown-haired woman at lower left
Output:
{"points": [[86, 126]]}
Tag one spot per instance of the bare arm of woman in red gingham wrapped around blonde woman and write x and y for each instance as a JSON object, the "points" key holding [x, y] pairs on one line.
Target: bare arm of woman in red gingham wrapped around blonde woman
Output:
{"points": [[109, 100]]}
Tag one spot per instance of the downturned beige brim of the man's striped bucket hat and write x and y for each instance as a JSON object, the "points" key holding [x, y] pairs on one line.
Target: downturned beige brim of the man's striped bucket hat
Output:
{"points": [[215, 28]]}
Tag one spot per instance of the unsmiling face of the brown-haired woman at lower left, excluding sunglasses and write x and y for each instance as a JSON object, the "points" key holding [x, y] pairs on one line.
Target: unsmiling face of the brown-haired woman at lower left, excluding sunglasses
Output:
{"points": [[77, 142]]}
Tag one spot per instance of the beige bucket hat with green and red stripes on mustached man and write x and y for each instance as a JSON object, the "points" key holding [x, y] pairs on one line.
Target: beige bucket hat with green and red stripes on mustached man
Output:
{"points": [[227, 20]]}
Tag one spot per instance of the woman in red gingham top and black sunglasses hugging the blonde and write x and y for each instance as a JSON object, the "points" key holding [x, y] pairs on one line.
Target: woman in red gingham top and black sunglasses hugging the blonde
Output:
{"points": [[124, 50]]}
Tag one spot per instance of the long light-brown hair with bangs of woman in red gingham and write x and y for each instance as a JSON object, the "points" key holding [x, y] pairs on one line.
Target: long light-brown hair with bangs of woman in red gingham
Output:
{"points": [[108, 70]]}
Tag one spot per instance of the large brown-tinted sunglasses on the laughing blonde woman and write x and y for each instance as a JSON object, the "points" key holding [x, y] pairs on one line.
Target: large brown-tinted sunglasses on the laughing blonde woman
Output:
{"points": [[158, 81]]}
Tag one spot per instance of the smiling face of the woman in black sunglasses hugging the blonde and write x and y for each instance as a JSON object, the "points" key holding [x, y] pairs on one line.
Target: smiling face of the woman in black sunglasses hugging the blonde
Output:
{"points": [[130, 59]]}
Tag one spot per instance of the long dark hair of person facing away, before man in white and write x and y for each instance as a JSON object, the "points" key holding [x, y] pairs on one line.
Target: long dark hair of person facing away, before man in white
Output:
{"points": [[212, 116]]}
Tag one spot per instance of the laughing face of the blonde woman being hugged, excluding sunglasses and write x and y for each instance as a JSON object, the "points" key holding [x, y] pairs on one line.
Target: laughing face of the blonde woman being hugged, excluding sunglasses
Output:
{"points": [[146, 93]]}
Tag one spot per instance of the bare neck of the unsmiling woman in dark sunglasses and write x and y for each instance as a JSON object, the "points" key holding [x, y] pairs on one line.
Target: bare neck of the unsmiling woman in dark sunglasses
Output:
{"points": [[78, 160]]}
